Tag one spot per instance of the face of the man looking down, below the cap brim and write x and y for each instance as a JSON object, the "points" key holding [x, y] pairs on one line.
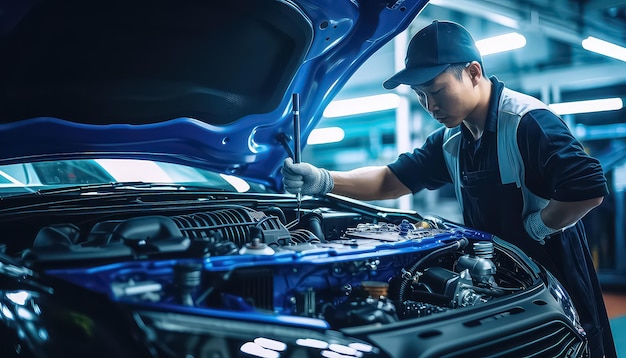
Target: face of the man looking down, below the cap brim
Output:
{"points": [[447, 98]]}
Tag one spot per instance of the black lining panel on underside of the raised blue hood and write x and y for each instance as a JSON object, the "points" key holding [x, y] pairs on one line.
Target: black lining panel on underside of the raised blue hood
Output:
{"points": [[145, 62]]}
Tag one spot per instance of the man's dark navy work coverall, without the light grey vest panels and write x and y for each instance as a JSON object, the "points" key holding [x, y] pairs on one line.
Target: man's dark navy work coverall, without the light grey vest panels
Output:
{"points": [[556, 167]]}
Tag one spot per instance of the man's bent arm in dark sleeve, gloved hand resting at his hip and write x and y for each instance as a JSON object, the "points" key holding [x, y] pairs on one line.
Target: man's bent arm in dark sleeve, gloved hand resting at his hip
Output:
{"points": [[561, 170]]}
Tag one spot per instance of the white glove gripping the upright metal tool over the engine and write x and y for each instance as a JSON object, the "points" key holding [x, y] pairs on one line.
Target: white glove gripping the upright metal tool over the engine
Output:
{"points": [[305, 178]]}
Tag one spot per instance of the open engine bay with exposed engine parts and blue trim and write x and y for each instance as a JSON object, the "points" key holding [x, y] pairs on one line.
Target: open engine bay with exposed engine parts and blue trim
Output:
{"points": [[322, 268]]}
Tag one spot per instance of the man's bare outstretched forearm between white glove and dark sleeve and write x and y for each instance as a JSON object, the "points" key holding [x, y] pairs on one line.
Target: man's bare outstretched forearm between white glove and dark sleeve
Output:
{"points": [[368, 183]]}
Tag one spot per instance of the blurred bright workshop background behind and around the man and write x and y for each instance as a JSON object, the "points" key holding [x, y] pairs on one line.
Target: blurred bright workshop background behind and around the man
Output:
{"points": [[560, 51]]}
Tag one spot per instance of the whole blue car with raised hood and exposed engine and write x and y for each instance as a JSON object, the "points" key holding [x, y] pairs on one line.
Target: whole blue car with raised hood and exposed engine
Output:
{"points": [[142, 209]]}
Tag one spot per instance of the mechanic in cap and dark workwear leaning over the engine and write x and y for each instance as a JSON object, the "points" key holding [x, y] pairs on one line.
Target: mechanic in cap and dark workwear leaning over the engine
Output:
{"points": [[517, 170]]}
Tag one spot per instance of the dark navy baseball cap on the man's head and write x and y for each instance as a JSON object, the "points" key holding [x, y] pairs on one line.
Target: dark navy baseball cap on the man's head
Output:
{"points": [[432, 50]]}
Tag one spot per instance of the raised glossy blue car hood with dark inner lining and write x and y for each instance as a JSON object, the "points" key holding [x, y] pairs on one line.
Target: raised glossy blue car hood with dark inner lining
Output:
{"points": [[204, 83]]}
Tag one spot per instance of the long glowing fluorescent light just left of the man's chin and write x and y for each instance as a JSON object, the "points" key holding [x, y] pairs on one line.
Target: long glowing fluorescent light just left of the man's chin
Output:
{"points": [[360, 105]]}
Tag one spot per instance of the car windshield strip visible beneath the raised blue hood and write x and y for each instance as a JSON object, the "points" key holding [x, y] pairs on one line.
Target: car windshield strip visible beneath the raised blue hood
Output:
{"points": [[17, 179]]}
